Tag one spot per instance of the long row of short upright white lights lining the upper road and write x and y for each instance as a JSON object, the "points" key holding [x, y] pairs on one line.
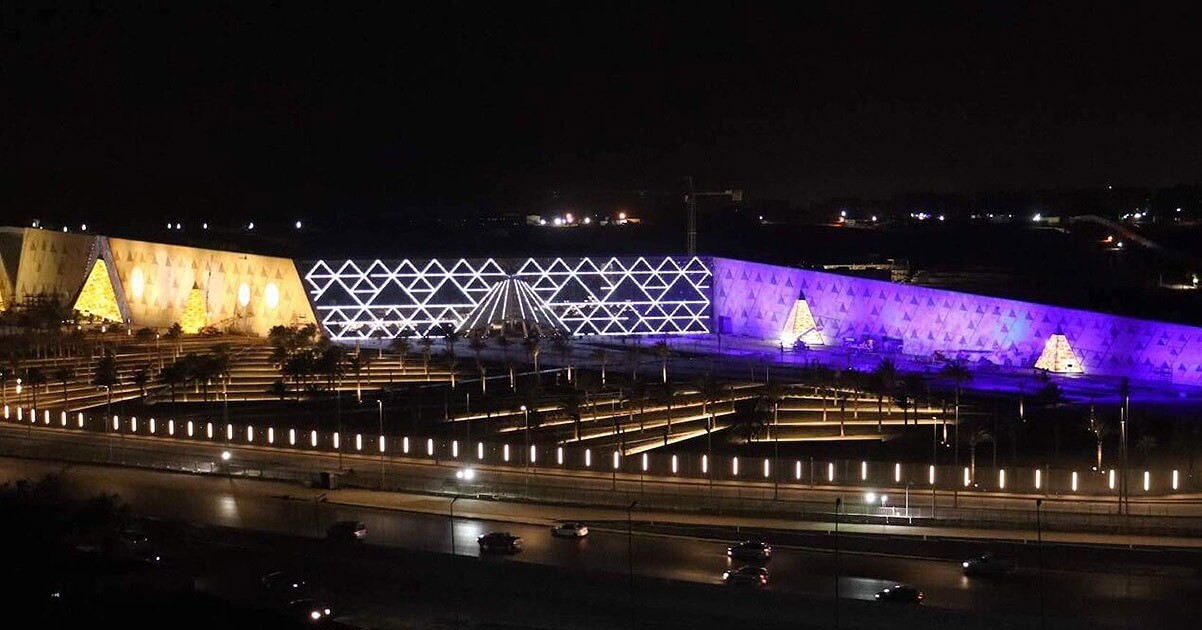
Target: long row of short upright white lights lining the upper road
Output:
{"points": [[153, 427]]}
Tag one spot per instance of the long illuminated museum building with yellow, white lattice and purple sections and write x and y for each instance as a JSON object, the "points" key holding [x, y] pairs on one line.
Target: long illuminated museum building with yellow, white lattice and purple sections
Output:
{"points": [[156, 286]]}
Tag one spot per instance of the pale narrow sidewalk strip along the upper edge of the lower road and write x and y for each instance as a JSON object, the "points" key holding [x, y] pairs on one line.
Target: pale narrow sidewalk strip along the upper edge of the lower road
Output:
{"points": [[548, 515]]}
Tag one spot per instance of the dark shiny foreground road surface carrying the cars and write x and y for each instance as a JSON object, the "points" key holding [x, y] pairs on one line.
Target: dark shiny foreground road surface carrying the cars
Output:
{"points": [[1098, 599]]}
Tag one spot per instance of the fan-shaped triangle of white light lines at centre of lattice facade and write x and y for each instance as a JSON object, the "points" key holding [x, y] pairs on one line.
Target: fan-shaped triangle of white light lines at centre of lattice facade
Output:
{"points": [[513, 308]]}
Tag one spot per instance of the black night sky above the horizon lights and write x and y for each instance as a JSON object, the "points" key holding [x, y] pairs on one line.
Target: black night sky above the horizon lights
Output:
{"points": [[301, 111]]}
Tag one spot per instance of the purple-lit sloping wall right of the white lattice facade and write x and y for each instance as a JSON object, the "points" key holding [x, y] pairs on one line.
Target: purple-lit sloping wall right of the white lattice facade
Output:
{"points": [[754, 300]]}
